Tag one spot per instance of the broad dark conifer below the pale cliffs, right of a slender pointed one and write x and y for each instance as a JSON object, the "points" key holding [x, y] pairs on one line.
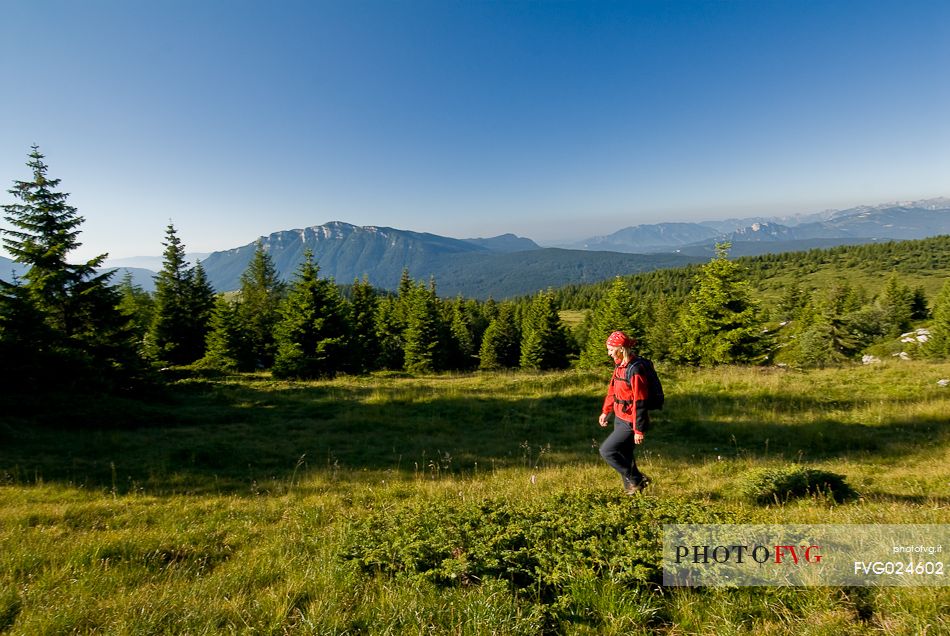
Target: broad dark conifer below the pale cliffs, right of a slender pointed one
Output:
{"points": [[313, 332]]}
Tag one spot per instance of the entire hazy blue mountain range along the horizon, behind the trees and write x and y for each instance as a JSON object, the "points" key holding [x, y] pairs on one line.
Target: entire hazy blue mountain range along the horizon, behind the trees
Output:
{"points": [[509, 265]]}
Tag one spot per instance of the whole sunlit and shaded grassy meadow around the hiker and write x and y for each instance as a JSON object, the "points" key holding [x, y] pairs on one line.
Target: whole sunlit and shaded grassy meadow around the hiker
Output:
{"points": [[448, 504]]}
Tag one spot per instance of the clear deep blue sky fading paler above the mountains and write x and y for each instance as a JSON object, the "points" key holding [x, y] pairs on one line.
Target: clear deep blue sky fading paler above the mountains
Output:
{"points": [[553, 120]]}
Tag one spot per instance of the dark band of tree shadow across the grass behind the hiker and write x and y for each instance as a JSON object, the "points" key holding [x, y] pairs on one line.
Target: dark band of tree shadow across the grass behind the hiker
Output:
{"points": [[219, 436]]}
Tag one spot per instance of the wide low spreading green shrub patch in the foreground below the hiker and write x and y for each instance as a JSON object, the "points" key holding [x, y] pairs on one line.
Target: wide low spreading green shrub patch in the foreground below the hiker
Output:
{"points": [[539, 546]]}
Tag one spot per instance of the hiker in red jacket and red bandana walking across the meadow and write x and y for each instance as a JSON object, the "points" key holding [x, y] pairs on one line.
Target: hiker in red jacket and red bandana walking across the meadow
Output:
{"points": [[627, 401]]}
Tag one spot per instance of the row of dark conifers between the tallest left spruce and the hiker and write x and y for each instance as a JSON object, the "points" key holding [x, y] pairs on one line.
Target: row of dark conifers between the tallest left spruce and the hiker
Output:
{"points": [[310, 327]]}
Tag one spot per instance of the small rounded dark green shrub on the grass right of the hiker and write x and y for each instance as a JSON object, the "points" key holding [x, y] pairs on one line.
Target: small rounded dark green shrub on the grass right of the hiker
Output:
{"points": [[777, 485]]}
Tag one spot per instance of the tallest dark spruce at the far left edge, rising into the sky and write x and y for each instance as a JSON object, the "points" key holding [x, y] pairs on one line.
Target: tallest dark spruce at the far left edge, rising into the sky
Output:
{"points": [[84, 336]]}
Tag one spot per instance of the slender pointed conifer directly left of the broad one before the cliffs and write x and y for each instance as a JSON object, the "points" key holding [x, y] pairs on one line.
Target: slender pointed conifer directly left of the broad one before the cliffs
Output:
{"points": [[261, 294]]}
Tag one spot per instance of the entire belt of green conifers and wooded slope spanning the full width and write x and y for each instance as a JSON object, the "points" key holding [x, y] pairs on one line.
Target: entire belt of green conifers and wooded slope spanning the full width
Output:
{"points": [[68, 325]]}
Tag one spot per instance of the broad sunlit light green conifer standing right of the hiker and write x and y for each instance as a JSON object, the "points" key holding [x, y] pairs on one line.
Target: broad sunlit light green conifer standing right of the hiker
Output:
{"points": [[719, 324]]}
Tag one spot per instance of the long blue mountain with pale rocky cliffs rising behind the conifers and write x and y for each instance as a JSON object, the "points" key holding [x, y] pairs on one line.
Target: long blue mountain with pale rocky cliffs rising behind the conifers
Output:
{"points": [[475, 268]]}
